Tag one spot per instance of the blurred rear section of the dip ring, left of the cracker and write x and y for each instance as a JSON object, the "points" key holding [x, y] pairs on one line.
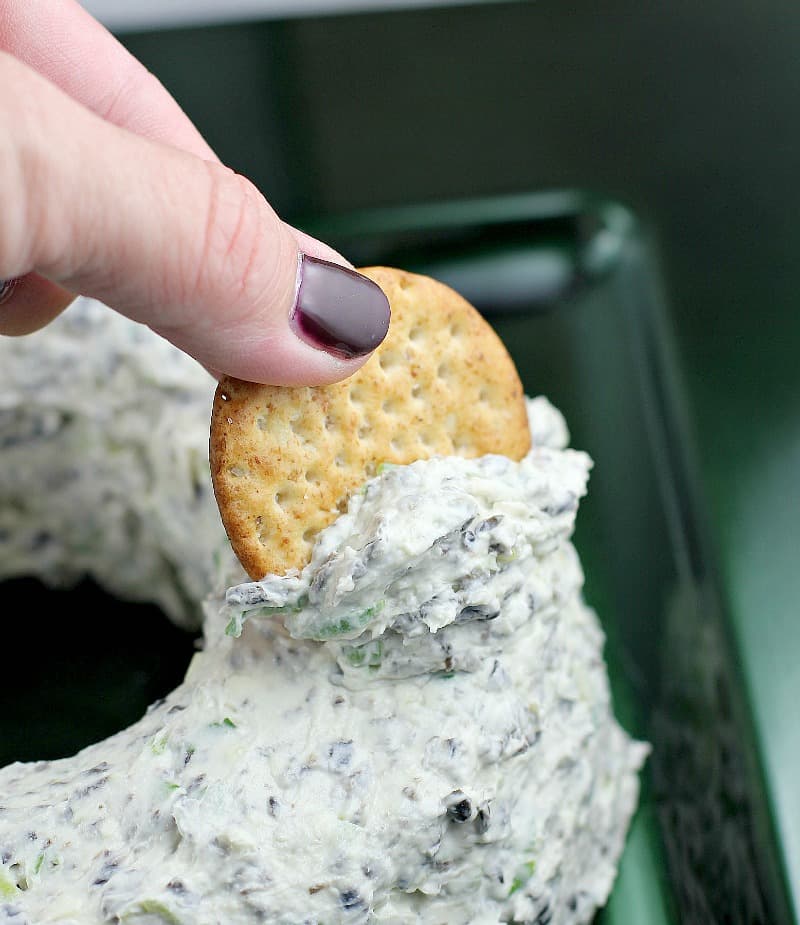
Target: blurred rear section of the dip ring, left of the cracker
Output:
{"points": [[104, 447]]}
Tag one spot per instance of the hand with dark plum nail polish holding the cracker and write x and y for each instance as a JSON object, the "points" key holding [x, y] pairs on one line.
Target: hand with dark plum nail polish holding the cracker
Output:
{"points": [[107, 189]]}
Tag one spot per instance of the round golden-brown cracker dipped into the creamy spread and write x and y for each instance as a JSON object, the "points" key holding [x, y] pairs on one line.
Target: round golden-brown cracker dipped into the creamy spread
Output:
{"points": [[284, 460]]}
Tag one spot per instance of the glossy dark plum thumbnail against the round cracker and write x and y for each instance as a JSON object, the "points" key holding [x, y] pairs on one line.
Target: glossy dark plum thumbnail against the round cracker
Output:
{"points": [[338, 310]]}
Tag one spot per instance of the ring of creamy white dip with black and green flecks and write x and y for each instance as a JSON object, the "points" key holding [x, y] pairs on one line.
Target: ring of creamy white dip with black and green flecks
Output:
{"points": [[428, 739]]}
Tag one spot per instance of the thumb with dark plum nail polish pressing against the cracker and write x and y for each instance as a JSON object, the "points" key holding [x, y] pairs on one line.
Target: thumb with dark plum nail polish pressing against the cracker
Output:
{"points": [[181, 244]]}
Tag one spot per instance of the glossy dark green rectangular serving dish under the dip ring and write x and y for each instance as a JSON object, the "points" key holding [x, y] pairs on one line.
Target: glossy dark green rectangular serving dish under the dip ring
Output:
{"points": [[571, 285]]}
